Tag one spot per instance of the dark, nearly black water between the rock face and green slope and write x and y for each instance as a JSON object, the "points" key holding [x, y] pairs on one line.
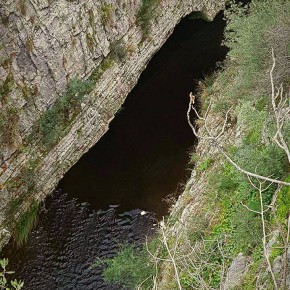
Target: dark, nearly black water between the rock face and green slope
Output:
{"points": [[139, 161]]}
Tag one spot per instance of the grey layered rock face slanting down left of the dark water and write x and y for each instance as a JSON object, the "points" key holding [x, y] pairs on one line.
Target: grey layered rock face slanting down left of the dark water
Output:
{"points": [[44, 46]]}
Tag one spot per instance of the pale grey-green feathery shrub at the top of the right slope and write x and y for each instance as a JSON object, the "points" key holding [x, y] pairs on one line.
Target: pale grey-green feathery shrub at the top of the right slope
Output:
{"points": [[251, 32]]}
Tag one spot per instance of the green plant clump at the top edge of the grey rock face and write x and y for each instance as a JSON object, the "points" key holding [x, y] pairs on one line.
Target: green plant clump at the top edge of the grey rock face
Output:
{"points": [[145, 15]]}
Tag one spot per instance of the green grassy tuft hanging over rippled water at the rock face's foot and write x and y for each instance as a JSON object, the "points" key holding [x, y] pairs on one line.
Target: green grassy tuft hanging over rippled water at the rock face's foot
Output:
{"points": [[25, 223]]}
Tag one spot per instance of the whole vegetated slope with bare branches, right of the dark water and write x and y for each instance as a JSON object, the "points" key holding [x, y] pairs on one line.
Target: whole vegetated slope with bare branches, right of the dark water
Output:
{"points": [[237, 212]]}
